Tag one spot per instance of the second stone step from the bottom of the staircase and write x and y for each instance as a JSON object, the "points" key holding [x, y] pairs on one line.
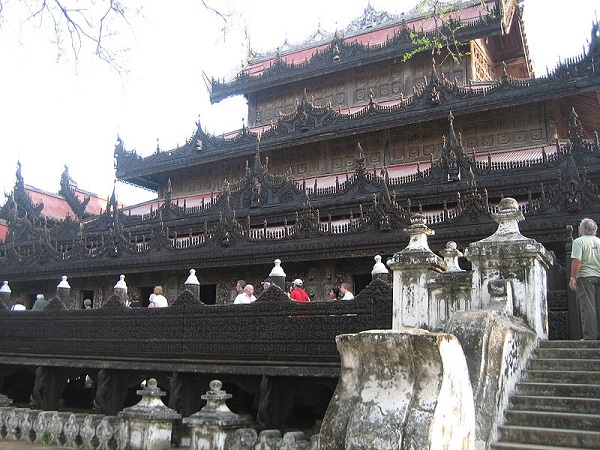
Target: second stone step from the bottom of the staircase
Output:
{"points": [[568, 420]]}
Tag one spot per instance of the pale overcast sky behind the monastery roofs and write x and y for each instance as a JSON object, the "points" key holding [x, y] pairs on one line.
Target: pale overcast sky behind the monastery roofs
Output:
{"points": [[53, 112]]}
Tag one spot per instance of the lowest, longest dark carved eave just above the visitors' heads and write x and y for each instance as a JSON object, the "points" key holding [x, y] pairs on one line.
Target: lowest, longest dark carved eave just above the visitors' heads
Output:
{"points": [[363, 213]]}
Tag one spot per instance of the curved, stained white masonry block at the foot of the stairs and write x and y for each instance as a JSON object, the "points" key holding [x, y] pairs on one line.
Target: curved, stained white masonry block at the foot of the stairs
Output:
{"points": [[405, 389]]}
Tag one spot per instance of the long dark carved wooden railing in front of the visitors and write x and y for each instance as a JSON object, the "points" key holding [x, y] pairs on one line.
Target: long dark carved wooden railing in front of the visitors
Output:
{"points": [[272, 337]]}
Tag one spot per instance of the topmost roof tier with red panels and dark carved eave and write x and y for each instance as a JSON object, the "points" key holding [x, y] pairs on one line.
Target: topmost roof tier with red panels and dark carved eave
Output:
{"points": [[376, 37]]}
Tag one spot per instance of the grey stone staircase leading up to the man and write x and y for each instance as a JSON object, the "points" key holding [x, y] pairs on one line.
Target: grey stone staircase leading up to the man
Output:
{"points": [[557, 403]]}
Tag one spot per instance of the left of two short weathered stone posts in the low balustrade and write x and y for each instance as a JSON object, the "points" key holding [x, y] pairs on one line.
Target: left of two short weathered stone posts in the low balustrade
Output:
{"points": [[148, 425]]}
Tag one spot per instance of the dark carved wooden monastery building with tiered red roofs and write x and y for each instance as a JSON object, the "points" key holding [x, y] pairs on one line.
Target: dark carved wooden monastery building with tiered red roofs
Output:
{"points": [[346, 137]]}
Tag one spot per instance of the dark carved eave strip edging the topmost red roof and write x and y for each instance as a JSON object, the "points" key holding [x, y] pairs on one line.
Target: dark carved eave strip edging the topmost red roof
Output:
{"points": [[343, 54]]}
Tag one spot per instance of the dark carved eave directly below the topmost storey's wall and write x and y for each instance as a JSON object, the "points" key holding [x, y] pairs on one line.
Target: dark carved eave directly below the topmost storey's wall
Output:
{"points": [[308, 124]]}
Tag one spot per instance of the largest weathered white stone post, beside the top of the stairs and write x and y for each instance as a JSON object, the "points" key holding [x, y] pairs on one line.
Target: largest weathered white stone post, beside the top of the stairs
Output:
{"points": [[508, 265]]}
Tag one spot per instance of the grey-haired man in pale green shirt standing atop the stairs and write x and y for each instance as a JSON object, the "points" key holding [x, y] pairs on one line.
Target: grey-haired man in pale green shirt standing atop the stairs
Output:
{"points": [[585, 277]]}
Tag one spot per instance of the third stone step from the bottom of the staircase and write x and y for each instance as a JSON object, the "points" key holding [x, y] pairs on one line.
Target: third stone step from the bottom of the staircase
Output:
{"points": [[557, 404]]}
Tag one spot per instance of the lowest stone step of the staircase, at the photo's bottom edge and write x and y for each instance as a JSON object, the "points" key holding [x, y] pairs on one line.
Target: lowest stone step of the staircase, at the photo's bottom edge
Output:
{"points": [[550, 436]]}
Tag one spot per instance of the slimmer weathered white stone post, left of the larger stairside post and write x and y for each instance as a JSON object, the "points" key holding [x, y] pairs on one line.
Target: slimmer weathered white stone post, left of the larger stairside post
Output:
{"points": [[413, 267]]}
